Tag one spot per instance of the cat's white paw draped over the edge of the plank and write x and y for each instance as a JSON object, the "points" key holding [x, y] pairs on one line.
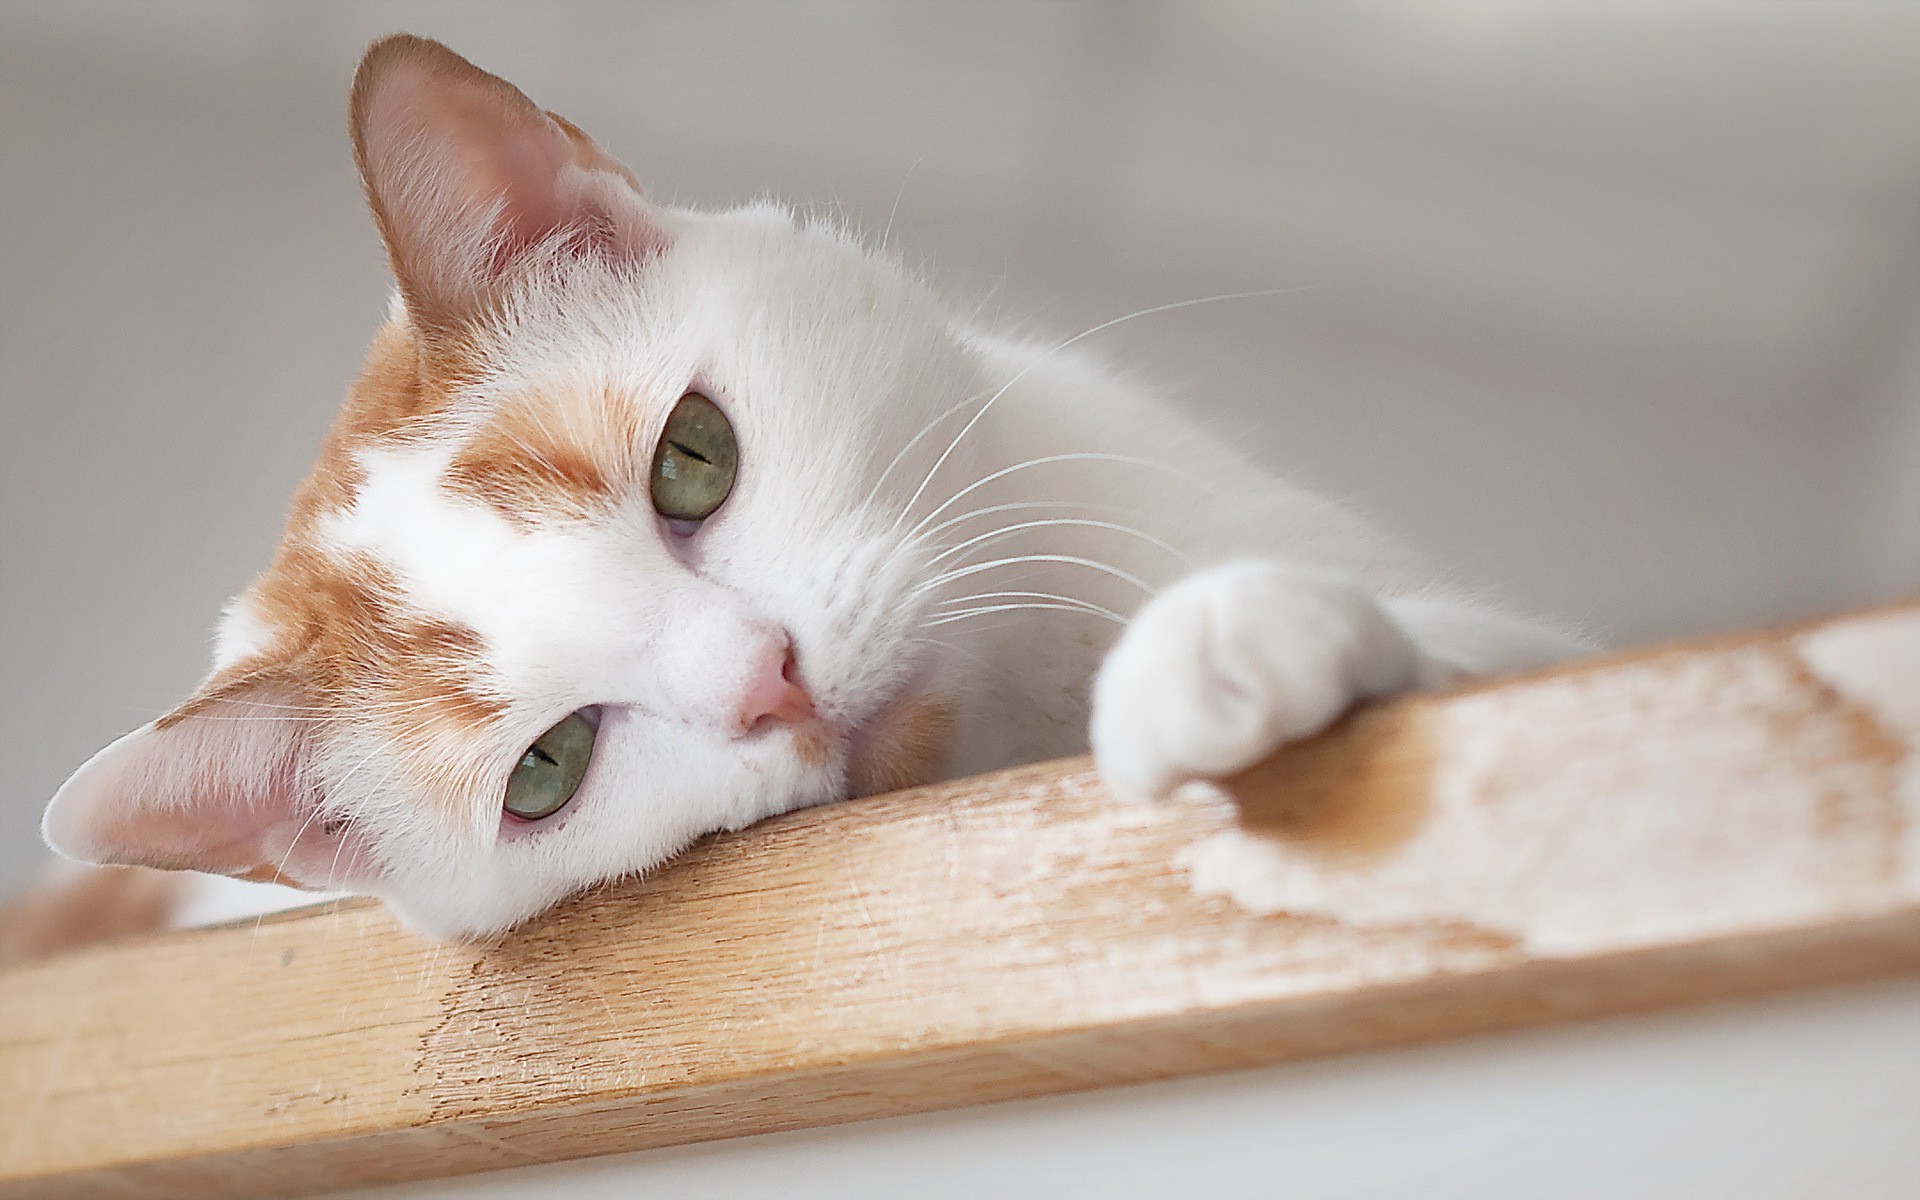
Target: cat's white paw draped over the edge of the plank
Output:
{"points": [[1234, 663]]}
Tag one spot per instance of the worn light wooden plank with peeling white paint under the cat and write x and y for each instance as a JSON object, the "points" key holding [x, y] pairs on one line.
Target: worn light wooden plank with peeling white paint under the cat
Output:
{"points": [[1662, 828]]}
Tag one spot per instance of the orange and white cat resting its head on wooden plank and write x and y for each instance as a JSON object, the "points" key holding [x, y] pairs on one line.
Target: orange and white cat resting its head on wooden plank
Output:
{"points": [[644, 523]]}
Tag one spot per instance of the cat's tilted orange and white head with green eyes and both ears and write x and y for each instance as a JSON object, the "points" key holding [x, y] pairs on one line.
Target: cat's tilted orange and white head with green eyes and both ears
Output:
{"points": [[610, 546]]}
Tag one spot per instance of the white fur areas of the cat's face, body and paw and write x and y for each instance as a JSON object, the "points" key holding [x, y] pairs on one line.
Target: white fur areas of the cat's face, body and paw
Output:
{"points": [[882, 444]]}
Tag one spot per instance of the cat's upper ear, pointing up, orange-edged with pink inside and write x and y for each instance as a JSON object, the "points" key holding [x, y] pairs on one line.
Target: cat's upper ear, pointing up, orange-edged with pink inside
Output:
{"points": [[468, 178]]}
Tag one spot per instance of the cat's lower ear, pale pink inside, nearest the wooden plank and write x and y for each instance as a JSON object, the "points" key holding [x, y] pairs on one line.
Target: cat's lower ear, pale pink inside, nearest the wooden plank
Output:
{"points": [[222, 784]]}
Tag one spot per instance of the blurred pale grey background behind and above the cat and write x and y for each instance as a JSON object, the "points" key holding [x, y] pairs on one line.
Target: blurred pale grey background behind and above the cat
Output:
{"points": [[1614, 306]]}
